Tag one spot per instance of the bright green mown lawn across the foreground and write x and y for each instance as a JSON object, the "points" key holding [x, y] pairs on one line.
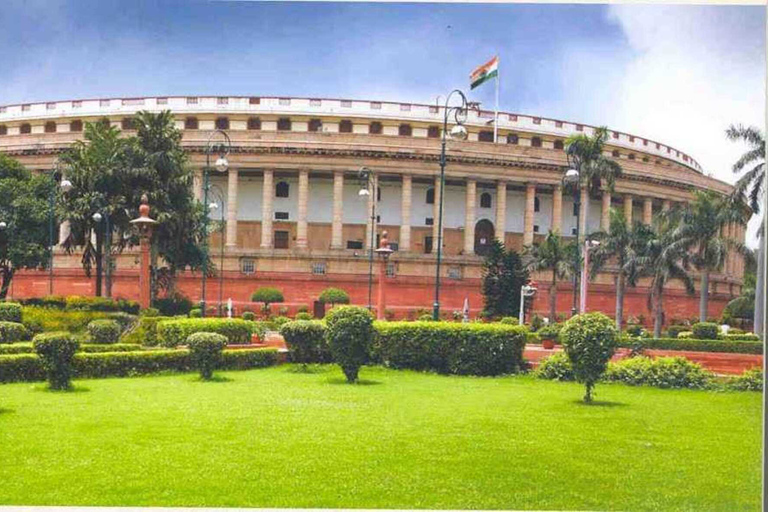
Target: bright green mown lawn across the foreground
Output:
{"points": [[276, 438]]}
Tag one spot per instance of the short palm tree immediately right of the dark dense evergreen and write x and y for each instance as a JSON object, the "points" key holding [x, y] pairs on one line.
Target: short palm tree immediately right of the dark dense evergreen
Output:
{"points": [[553, 254]]}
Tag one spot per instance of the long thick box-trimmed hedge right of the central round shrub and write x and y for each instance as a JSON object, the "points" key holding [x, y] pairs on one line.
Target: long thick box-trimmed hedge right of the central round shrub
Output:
{"points": [[450, 348]]}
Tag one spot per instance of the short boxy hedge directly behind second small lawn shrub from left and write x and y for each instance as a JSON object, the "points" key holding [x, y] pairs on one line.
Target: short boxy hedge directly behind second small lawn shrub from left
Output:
{"points": [[172, 333]]}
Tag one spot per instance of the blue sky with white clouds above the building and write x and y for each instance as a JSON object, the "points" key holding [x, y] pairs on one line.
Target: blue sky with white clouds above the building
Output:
{"points": [[679, 74]]}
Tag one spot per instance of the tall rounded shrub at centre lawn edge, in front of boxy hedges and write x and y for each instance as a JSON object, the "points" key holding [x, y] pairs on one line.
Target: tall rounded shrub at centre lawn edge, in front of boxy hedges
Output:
{"points": [[350, 332]]}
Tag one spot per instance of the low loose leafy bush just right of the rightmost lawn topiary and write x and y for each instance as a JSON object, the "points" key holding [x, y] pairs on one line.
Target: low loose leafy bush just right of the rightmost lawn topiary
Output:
{"points": [[661, 372]]}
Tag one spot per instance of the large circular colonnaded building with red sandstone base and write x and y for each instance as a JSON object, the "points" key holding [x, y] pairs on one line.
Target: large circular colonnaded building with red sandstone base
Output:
{"points": [[295, 220]]}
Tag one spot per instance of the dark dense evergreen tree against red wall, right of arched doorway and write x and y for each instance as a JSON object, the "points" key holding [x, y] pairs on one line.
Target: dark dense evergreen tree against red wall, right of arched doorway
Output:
{"points": [[503, 276]]}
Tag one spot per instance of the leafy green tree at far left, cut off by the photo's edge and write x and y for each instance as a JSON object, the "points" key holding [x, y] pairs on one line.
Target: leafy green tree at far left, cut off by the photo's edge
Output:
{"points": [[24, 209]]}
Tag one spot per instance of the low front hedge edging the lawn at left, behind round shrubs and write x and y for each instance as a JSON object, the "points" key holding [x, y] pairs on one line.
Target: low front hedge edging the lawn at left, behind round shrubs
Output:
{"points": [[28, 367]]}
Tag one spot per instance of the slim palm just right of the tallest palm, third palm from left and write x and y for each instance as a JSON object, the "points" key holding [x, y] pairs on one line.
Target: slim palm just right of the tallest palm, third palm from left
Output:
{"points": [[622, 246]]}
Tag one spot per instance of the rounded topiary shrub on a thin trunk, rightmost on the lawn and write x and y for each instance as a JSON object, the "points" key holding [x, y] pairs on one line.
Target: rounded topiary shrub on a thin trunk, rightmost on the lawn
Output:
{"points": [[589, 340]]}
